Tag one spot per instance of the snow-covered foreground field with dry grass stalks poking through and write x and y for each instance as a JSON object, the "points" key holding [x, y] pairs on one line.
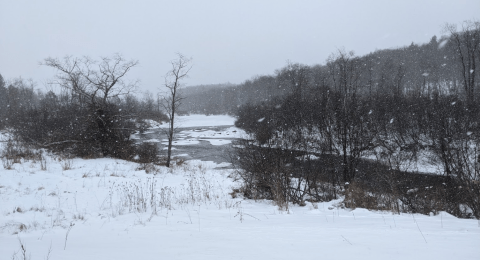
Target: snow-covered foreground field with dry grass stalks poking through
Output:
{"points": [[113, 209]]}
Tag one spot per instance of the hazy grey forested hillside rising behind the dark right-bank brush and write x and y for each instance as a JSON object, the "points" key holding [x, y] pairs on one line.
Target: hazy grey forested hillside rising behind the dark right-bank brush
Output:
{"points": [[415, 70]]}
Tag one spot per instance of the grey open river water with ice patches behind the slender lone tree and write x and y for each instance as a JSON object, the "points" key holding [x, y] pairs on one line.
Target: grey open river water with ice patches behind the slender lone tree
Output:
{"points": [[202, 151]]}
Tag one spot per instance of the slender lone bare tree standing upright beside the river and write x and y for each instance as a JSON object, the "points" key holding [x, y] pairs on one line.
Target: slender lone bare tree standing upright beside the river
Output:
{"points": [[171, 99]]}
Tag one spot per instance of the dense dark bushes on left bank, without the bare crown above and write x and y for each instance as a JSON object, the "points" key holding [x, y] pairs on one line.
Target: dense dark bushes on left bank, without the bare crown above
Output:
{"points": [[62, 123]]}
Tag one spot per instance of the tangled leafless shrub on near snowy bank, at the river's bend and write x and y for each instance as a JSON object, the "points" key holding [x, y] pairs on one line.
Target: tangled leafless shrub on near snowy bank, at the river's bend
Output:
{"points": [[268, 172]]}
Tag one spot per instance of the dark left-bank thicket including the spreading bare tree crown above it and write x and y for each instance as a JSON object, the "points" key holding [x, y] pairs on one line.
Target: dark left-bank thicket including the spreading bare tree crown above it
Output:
{"points": [[93, 115]]}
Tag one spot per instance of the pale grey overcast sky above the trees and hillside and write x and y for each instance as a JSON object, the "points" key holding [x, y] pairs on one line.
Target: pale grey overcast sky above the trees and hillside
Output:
{"points": [[229, 41]]}
